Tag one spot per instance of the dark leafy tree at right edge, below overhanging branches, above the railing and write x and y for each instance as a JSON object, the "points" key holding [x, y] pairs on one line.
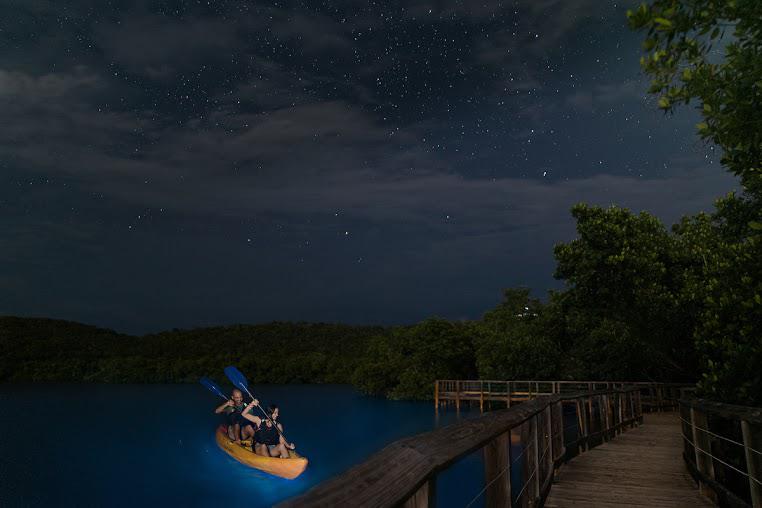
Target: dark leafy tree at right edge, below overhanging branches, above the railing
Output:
{"points": [[726, 285]]}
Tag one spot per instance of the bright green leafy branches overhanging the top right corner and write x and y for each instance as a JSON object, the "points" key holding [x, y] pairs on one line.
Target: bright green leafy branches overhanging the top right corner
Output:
{"points": [[681, 38]]}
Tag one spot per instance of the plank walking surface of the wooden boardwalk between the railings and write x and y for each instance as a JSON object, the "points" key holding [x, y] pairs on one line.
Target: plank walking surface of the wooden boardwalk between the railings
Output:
{"points": [[640, 467]]}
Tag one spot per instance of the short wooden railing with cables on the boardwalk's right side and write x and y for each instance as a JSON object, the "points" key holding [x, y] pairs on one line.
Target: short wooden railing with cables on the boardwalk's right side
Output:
{"points": [[723, 450]]}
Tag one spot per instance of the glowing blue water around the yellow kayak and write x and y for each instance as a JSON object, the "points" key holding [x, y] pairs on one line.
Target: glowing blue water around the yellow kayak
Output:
{"points": [[147, 445]]}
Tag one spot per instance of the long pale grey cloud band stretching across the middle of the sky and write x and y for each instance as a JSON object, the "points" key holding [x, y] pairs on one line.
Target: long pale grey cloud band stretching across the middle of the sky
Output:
{"points": [[305, 160]]}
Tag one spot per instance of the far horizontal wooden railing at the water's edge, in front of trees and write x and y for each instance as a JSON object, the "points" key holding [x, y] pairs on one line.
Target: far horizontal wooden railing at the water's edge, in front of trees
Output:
{"points": [[654, 396]]}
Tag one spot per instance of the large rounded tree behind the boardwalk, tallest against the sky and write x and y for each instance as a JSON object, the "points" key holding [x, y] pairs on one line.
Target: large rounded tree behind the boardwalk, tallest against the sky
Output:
{"points": [[623, 315]]}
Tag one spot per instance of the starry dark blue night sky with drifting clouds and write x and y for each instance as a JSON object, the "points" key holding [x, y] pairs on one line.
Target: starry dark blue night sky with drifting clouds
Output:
{"points": [[181, 164]]}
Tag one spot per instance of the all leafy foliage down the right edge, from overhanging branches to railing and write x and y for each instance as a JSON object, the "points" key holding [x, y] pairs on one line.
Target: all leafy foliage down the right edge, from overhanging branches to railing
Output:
{"points": [[721, 251]]}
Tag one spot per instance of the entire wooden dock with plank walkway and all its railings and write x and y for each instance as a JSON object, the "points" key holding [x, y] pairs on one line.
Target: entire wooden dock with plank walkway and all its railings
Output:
{"points": [[595, 447]]}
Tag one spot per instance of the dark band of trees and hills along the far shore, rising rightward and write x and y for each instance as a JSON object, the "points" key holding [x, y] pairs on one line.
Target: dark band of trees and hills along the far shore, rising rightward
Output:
{"points": [[640, 303]]}
